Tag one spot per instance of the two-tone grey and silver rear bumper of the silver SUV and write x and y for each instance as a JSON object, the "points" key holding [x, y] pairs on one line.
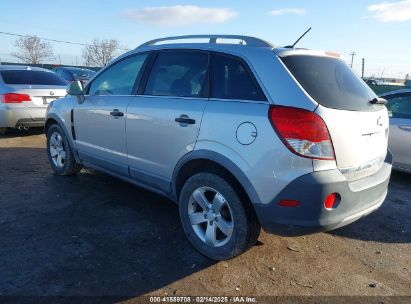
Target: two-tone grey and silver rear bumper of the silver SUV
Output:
{"points": [[358, 198]]}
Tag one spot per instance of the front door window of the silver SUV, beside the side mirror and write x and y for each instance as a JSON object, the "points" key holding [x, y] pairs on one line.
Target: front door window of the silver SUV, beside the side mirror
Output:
{"points": [[118, 79]]}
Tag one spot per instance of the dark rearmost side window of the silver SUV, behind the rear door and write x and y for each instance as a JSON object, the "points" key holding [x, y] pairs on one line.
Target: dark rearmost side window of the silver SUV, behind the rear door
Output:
{"points": [[232, 80]]}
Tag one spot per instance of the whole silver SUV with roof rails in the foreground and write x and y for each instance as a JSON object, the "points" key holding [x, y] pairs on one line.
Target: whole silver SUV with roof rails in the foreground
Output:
{"points": [[241, 136]]}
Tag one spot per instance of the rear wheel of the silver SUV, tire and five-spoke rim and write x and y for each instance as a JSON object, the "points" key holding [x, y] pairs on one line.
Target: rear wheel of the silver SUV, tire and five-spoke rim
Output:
{"points": [[227, 210]]}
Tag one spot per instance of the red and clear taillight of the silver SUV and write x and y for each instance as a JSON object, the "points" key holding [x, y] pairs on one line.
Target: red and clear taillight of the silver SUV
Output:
{"points": [[303, 132]]}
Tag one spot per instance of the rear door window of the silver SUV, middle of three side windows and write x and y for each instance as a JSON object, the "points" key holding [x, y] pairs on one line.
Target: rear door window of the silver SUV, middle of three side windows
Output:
{"points": [[179, 73]]}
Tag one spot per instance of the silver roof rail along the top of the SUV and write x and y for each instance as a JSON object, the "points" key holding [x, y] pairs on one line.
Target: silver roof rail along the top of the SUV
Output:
{"points": [[248, 40]]}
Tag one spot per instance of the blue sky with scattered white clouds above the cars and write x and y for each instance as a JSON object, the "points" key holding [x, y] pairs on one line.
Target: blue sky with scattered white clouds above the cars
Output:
{"points": [[376, 30]]}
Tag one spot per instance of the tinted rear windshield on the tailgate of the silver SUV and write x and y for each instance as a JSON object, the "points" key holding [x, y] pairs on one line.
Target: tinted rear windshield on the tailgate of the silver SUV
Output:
{"points": [[331, 82]]}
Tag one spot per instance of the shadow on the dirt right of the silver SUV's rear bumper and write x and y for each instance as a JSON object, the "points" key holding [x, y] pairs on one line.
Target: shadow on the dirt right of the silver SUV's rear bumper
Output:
{"points": [[389, 224]]}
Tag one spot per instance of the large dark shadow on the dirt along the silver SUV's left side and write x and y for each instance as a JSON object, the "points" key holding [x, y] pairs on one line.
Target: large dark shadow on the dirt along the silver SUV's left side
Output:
{"points": [[88, 234]]}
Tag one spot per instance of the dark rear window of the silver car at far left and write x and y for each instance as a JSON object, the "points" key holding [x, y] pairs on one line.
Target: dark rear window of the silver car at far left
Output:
{"points": [[32, 77]]}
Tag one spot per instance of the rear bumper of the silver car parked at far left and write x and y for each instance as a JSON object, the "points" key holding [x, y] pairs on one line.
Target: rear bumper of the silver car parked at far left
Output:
{"points": [[24, 116]]}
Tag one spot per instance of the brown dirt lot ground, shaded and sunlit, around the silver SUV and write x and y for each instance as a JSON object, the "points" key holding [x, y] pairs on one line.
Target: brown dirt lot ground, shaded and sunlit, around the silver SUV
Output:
{"points": [[95, 235]]}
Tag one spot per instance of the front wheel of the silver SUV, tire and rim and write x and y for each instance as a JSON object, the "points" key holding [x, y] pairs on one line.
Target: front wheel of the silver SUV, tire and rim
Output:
{"points": [[63, 163]]}
